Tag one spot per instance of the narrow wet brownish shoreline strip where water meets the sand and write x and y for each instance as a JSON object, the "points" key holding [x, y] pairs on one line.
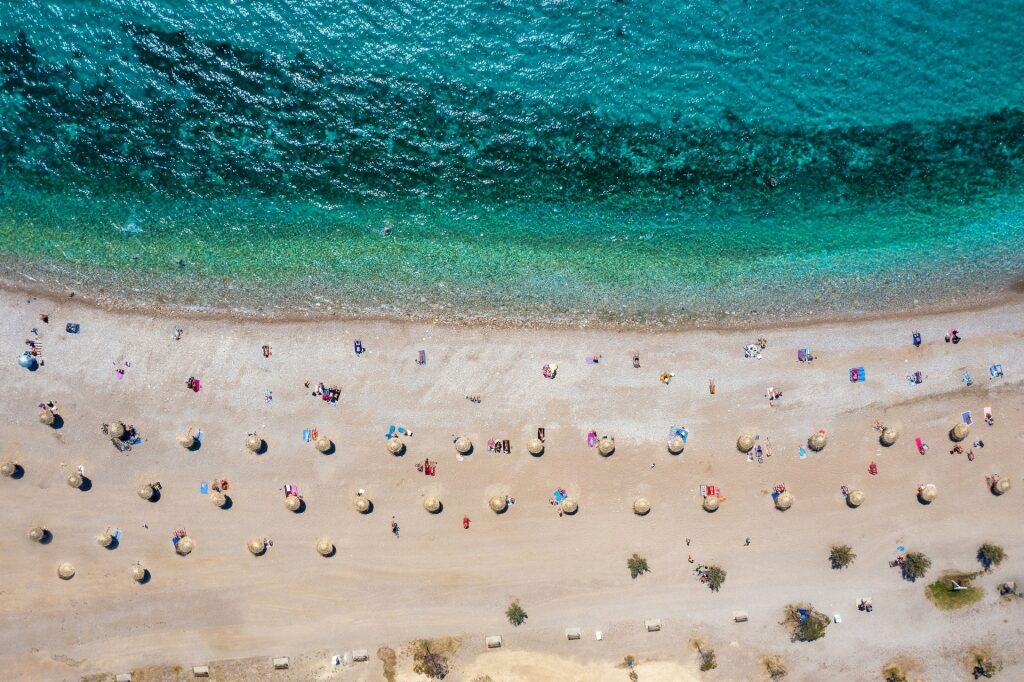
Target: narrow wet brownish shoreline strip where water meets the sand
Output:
{"points": [[1009, 296]]}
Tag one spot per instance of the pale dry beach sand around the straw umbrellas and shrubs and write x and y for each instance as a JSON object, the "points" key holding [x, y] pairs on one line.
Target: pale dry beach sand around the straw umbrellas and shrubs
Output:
{"points": [[440, 580]]}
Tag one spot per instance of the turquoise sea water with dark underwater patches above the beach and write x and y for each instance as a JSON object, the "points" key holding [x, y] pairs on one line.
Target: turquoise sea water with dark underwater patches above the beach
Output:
{"points": [[653, 161]]}
